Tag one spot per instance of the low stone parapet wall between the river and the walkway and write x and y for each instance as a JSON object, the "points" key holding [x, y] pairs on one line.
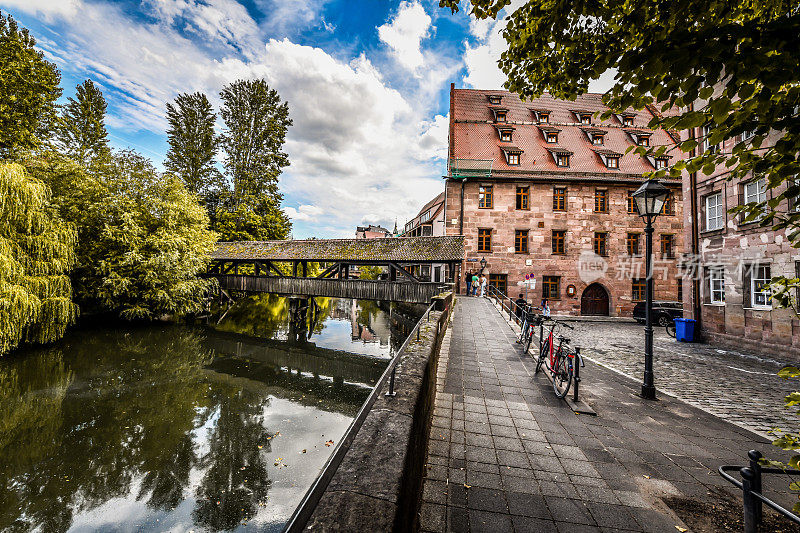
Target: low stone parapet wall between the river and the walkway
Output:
{"points": [[379, 482]]}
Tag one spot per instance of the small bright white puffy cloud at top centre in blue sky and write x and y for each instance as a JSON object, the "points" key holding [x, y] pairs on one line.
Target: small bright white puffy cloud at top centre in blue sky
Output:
{"points": [[405, 33]]}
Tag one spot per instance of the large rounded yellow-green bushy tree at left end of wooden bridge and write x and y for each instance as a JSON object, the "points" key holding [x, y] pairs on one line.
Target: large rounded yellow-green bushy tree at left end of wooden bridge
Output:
{"points": [[143, 238]]}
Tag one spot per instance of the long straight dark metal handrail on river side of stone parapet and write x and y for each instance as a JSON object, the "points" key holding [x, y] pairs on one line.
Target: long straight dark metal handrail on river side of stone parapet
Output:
{"points": [[305, 509]]}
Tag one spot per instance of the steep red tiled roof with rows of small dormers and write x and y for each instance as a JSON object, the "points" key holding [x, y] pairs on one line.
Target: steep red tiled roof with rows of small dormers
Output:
{"points": [[474, 135]]}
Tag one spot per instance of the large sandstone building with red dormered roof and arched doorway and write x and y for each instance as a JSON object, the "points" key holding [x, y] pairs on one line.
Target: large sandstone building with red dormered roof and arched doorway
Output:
{"points": [[542, 188]]}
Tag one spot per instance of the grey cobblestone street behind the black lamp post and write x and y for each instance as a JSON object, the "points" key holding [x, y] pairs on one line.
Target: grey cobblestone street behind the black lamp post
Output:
{"points": [[739, 387]]}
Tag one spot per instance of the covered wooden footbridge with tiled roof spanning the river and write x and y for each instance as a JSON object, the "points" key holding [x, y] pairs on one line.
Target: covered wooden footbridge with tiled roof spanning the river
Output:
{"points": [[326, 267]]}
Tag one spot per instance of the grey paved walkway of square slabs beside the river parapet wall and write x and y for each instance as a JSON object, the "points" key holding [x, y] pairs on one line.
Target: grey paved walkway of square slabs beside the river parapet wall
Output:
{"points": [[506, 455]]}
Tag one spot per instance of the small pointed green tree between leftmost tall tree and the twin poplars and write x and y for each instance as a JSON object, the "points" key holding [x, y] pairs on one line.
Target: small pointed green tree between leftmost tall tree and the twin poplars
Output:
{"points": [[82, 131]]}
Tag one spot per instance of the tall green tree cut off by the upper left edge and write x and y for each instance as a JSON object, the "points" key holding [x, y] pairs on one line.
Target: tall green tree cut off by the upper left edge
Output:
{"points": [[29, 88]]}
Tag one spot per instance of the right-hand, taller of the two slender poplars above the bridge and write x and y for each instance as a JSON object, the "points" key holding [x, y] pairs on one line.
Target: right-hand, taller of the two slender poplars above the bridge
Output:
{"points": [[255, 129]]}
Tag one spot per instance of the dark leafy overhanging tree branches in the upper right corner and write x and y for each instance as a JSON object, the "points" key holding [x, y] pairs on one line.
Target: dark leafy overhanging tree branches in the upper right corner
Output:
{"points": [[718, 67]]}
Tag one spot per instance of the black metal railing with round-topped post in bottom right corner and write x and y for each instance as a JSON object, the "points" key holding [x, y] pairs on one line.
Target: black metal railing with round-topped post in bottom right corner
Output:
{"points": [[752, 498]]}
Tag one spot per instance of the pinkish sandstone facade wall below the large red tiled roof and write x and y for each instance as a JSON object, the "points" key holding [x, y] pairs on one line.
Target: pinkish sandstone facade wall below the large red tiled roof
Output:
{"points": [[580, 222]]}
